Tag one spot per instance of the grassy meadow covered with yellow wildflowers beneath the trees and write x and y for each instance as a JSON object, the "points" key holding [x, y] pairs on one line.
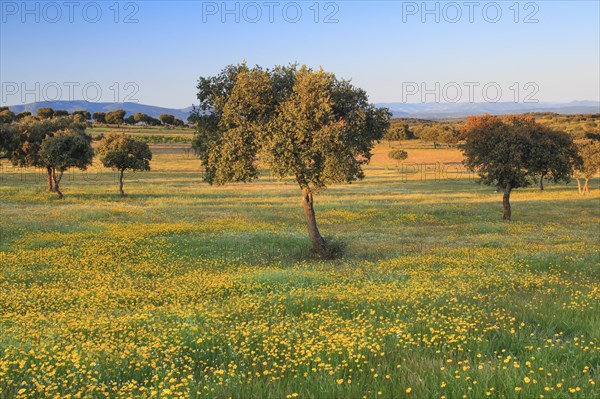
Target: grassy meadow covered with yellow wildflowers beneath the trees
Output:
{"points": [[182, 290]]}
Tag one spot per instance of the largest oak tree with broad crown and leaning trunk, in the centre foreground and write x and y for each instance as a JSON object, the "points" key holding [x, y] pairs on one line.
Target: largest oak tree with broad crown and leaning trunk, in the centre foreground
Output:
{"points": [[299, 122]]}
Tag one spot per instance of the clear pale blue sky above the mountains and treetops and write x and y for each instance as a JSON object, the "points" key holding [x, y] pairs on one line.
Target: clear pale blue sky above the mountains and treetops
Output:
{"points": [[380, 45]]}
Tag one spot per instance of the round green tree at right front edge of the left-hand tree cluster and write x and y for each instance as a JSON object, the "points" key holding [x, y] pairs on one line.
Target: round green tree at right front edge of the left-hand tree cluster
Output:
{"points": [[70, 148]]}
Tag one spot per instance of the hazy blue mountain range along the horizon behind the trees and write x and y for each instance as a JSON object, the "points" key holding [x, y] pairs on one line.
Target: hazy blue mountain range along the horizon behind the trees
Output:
{"points": [[410, 110]]}
